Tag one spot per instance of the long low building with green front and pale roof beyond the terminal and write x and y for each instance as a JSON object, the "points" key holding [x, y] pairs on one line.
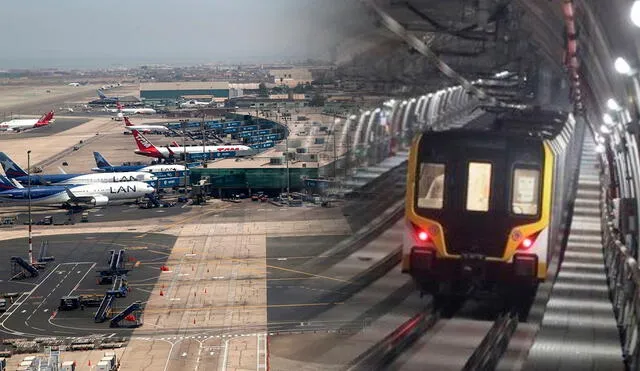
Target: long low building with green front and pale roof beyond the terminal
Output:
{"points": [[171, 91]]}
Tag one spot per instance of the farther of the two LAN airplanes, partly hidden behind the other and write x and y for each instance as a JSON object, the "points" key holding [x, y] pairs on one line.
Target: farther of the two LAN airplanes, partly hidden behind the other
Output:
{"points": [[14, 171]]}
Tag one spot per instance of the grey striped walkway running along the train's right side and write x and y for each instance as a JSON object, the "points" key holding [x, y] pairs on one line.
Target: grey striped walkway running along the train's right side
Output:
{"points": [[578, 330]]}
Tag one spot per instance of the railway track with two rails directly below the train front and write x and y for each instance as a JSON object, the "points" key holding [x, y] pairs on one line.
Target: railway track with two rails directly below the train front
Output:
{"points": [[429, 341]]}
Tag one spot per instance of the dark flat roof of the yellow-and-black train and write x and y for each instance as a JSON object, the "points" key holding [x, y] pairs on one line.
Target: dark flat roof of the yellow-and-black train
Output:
{"points": [[530, 122]]}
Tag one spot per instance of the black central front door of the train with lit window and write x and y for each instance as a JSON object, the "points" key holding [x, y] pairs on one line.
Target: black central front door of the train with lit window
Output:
{"points": [[480, 183]]}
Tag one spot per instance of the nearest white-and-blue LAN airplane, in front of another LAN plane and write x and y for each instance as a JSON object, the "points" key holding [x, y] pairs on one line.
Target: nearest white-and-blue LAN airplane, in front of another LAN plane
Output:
{"points": [[88, 195]]}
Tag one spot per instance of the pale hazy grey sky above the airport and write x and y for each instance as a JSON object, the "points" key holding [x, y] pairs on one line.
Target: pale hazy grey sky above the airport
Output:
{"points": [[89, 33]]}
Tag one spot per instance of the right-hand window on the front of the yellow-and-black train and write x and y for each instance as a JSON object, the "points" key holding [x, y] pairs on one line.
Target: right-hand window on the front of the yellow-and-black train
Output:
{"points": [[526, 194]]}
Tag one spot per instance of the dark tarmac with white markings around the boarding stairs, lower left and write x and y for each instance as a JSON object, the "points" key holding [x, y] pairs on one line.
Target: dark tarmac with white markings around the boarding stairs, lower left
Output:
{"points": [[74, 272]]}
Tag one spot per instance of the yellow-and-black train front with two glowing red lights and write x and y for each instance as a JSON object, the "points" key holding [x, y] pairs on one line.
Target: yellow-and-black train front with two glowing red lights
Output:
{"points": [[479, 208]]}
